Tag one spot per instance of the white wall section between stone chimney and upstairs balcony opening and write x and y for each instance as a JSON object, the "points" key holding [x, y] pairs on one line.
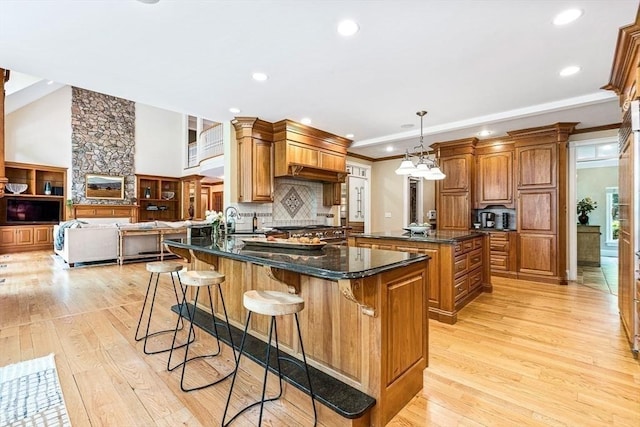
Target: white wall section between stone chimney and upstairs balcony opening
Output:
{"points": [[160, 141]]}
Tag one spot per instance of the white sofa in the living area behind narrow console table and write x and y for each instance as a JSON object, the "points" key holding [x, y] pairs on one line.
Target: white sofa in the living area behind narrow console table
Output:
{"points": [[98, 239]]}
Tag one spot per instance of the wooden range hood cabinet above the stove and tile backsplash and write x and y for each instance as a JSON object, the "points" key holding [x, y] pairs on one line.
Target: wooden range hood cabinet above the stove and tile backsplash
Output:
{"points": [[307, 153]]}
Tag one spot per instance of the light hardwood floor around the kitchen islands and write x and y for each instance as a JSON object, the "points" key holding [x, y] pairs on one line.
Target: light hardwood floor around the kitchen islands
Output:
{"points": [[528, 354]]}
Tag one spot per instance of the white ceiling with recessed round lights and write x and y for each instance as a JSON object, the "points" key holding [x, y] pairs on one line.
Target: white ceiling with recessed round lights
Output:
{"points": [[472, 65]]}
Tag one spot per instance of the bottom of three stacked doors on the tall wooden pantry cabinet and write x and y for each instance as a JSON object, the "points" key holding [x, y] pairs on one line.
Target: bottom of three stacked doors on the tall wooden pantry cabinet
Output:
{"points": [[537, 254]]}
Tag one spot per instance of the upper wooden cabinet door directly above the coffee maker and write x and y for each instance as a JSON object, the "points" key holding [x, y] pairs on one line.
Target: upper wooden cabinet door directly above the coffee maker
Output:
{"points": [[495, 179]]}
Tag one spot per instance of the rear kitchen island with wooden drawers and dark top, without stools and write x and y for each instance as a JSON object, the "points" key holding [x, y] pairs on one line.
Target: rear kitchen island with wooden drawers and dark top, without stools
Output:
{"points": [[459, 269]]}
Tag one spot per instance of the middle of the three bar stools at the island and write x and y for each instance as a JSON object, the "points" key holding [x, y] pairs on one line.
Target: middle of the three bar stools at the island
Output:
{"points": [[197, 280]]}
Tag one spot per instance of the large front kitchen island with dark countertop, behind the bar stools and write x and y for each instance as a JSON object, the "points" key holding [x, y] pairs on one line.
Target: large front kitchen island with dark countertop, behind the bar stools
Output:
{"points": [[365, 317]]}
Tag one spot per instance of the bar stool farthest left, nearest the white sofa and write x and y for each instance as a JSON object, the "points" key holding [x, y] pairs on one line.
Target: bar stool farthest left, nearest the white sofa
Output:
{"points": [[156, 269]]}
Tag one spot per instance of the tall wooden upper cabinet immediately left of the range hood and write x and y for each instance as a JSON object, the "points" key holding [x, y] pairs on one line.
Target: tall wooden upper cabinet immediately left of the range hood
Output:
{"points": [[255, 159]]}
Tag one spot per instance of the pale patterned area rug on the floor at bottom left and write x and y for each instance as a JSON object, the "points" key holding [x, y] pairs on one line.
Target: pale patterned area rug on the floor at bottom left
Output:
{"points": [[30, 394]]}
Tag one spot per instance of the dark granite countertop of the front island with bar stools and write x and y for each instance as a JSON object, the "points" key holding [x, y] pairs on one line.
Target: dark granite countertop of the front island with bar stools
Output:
{"points": [[333, 262]]}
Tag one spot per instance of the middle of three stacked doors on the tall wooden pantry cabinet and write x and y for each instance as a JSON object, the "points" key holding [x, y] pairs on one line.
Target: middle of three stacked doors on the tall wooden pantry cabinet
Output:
{"points": [[537, 211]]}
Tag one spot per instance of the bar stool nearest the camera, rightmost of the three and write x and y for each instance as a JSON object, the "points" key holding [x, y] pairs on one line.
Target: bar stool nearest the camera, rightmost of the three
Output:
{"points": [[271, 303]]}
